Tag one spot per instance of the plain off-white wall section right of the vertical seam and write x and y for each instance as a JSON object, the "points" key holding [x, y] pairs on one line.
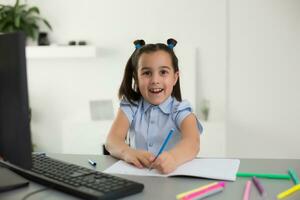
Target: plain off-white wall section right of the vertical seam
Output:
{"points": [[263, 79]]}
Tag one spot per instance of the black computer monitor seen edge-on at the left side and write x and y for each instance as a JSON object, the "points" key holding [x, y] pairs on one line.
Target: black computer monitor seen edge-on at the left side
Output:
{"points": [[15, 139]]}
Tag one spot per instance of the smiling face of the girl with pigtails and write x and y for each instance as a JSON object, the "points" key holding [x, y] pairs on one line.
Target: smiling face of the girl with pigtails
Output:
{"points": [[156, 76]]}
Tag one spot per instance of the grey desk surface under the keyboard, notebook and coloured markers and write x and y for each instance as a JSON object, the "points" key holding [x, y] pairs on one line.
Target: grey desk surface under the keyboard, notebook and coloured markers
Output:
{"points": [[167, 188]]}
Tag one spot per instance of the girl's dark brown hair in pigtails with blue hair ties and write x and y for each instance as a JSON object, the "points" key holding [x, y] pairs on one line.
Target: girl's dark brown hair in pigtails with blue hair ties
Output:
{"points": [[128, 89]]}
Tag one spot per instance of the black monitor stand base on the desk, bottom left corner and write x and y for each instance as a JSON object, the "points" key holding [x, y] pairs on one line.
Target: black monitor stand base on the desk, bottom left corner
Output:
{"points": [[10, 180]]}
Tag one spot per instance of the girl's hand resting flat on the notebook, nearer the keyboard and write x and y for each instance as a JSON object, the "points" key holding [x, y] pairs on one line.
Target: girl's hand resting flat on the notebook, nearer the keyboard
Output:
{"points": [[138, 158]]}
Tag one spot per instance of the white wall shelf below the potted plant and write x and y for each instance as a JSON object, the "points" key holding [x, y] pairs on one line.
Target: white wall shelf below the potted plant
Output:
{"points": [[37, 52]]}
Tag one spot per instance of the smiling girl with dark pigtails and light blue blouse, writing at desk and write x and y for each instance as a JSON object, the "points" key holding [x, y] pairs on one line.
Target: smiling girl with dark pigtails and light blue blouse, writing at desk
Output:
{"points": [[150, 107]]}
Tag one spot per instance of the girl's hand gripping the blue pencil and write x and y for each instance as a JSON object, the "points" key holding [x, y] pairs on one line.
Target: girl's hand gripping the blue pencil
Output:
{"points": [[165, 163]]}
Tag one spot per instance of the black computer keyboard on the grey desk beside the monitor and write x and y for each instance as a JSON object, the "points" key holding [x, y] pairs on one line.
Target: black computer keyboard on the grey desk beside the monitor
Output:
{"points": [[80, 181]]}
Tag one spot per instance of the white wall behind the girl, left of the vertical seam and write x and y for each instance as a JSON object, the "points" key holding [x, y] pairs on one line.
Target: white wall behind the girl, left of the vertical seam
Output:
{"points": [[60, 89]]}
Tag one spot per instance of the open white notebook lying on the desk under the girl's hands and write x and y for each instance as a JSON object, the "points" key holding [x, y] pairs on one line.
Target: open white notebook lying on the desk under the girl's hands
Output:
{"points": [[220, 169]]}
